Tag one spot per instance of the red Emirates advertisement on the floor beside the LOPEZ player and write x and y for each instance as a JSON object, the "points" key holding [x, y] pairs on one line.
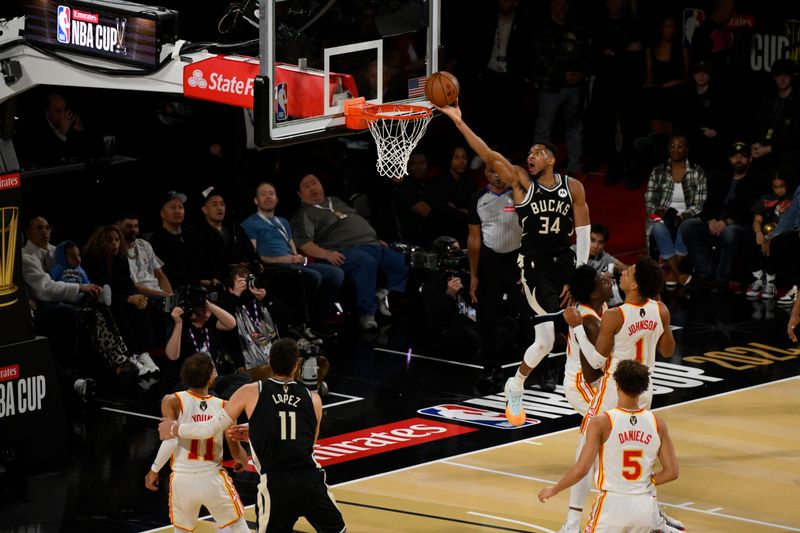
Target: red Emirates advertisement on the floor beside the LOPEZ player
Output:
{"points": [[381, 439]]}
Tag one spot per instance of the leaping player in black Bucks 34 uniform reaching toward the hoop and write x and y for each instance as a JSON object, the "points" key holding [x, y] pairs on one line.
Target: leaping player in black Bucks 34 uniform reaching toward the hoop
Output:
{"points": [[550, 206]]}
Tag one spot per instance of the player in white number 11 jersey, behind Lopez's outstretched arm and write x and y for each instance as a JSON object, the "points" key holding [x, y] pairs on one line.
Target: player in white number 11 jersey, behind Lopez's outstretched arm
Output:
{"points": [[198, 477]]}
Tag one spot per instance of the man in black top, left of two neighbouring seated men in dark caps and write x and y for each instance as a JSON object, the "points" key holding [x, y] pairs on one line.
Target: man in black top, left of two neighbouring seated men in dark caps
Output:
{"points": [[168, 241]]}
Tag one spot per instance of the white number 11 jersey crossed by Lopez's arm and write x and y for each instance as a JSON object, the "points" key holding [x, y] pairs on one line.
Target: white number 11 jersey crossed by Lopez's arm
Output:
{"points": [[194, 455]]}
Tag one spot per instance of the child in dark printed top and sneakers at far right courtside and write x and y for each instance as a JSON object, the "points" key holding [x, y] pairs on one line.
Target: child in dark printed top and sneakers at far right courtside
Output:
{"points": [[767, 212]]}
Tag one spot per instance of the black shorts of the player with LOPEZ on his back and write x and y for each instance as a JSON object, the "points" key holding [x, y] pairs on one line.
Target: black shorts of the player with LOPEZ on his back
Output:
{"points": [[295, 493]]}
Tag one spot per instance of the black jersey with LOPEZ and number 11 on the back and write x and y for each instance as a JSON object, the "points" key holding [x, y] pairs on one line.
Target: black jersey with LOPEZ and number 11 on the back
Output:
{"points": [[282, 427]]}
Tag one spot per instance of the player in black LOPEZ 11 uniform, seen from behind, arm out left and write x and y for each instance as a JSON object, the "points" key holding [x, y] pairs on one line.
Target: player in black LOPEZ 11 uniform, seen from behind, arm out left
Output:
{"points": [[284, 420]]}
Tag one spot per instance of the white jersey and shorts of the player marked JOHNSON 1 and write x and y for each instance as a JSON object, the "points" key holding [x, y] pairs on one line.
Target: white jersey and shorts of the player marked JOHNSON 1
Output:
{"points": [[637, 339]]}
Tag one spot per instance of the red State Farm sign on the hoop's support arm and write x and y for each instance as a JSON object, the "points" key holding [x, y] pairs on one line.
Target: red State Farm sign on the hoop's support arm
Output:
{"points": [[222, 79]]}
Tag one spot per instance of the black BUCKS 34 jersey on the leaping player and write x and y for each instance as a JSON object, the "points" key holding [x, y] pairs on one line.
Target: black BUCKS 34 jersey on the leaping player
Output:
{"points": [[546, 219]]}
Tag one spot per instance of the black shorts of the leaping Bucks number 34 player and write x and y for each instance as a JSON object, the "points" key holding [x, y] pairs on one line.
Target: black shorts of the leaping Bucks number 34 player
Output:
{"points": [[543, 279]]}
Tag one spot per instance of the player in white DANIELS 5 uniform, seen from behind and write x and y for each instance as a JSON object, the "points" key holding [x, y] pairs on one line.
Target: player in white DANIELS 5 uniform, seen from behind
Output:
{"points": [[625, 441]]}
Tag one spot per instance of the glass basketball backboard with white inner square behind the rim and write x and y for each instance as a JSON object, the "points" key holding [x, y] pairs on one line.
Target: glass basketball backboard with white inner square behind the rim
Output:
{"points": [[316, 54]]}
